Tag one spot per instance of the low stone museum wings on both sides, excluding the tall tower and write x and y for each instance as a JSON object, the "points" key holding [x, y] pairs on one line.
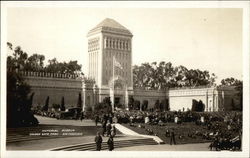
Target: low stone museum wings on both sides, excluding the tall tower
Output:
{"points": [[57, 86]]}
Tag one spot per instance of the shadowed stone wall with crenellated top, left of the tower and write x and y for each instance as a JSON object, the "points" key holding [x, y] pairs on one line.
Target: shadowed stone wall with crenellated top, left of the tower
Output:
{"points": [[55, 86]]}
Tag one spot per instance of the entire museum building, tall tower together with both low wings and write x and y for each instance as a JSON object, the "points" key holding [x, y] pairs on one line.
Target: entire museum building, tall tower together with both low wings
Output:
{"points": [[110, 75]]}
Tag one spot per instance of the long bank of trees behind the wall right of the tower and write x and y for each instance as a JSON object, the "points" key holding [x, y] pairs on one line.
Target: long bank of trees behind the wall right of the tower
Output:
{"points": [[165, 75]]}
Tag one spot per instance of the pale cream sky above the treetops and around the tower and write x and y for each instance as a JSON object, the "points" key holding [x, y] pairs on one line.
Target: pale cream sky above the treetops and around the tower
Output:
{"points": [[205, 39]]}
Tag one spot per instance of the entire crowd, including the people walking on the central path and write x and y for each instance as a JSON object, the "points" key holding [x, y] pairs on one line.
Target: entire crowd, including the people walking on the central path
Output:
{"points": [[223, 129]]}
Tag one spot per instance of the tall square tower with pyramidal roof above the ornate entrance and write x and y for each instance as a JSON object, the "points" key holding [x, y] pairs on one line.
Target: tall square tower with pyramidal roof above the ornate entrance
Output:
{"points": [[109, 44]]}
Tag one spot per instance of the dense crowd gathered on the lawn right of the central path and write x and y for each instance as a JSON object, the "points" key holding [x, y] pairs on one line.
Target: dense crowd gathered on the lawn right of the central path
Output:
{"points": [[223, 129]]}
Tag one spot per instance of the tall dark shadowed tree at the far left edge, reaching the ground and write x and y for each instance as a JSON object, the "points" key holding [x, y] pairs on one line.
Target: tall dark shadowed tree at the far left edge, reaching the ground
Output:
{"points": [[18, 103]]}
